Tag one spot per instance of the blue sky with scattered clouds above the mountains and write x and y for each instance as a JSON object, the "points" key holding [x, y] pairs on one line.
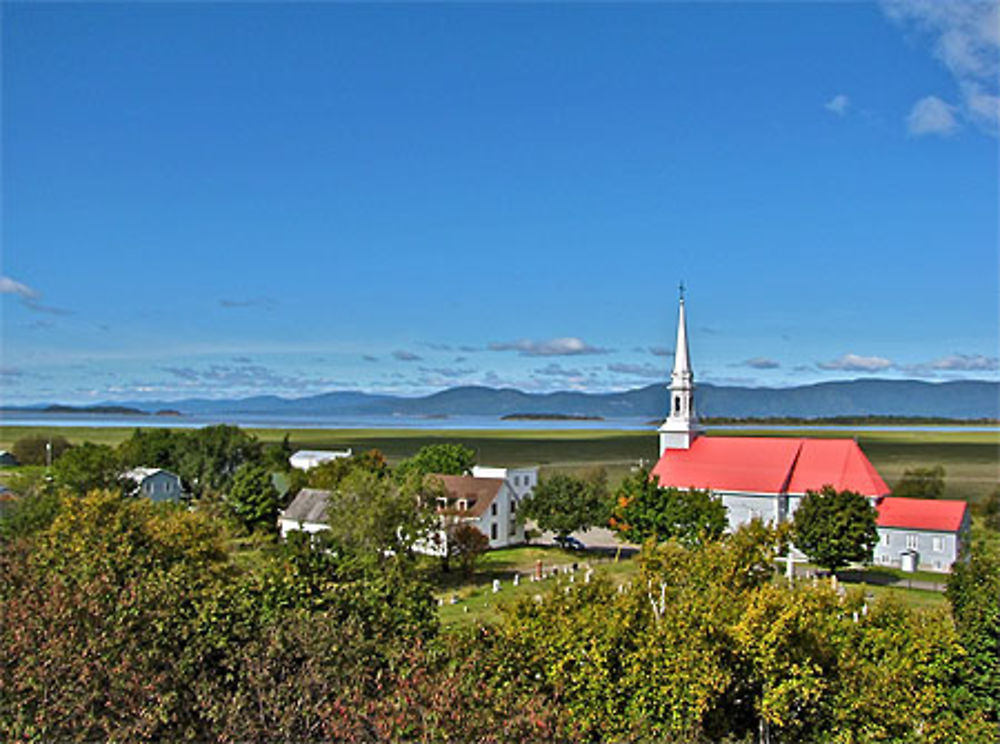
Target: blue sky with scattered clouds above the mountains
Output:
{"points": [[222, 200]]}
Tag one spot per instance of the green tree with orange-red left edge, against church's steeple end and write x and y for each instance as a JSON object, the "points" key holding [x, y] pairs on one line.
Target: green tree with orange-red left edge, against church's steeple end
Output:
{"points": [[644, 510]]}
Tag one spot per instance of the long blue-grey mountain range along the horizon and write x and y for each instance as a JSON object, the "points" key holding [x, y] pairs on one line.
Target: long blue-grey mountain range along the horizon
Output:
{"points": [[869, 397]]}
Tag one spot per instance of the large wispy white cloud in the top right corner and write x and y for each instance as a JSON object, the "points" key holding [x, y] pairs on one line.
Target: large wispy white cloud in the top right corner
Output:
{"points": [[965, 37]]}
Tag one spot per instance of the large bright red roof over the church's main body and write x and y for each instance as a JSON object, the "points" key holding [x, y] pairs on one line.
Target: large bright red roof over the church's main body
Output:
{"points": [[770, 465]]}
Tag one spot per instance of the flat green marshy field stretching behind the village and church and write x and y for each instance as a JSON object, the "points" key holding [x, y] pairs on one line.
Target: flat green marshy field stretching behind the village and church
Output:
{"points": [[971, 458]]}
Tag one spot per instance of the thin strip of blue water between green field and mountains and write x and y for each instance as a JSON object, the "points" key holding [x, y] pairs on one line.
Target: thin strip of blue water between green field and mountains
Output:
{"points": [[284, 421]]}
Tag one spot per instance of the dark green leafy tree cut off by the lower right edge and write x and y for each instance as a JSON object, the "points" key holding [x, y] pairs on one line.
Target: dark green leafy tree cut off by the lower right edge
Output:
{"points": [[974, 593]]}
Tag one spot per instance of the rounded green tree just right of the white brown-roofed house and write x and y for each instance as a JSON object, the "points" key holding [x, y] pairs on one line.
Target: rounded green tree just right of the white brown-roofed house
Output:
{"points": [[564, 503]]}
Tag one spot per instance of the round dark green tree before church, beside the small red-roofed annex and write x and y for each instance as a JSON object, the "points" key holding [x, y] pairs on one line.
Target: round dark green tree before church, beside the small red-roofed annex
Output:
{"points": [[834, 527]]}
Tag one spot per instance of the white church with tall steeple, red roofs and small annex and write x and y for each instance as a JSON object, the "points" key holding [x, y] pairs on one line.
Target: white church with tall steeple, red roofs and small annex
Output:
{"points": [[767, 477]]}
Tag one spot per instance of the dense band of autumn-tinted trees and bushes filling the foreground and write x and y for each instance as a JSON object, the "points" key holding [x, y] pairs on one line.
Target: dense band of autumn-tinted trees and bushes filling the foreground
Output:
{"points": [[125, 620]]}
